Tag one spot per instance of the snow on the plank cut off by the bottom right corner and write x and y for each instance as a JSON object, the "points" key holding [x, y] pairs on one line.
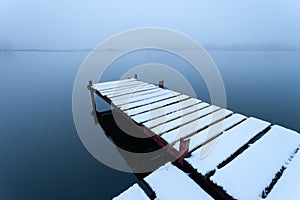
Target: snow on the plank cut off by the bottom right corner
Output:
{"points": [[287, 186]]}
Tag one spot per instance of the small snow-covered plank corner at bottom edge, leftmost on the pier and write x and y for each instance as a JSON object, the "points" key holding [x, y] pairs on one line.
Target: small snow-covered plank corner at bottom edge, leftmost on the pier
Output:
{"points": [[134, 192]]}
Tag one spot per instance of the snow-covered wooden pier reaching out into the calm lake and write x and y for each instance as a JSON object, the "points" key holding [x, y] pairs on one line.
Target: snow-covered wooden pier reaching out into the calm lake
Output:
{"points": [[247, 158]]}
